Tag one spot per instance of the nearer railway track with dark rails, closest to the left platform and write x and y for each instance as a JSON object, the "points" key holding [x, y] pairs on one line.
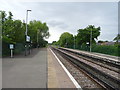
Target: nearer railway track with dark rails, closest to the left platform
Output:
{"points": [[110, 82]]}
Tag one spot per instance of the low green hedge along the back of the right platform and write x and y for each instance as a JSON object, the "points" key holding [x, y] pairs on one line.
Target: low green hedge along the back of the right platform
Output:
{"points": [[105, 49]]}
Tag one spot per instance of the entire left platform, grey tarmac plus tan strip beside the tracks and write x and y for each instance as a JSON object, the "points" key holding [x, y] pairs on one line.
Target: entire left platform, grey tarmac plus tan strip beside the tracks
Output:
{"points": [[40, 69]]}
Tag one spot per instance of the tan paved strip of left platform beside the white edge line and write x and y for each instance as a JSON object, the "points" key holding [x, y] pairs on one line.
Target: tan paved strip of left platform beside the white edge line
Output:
{"points": [[57, 77]]}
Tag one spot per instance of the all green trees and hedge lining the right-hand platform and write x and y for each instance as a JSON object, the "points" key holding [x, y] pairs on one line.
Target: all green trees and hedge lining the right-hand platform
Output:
{"points": [[82, 41]]}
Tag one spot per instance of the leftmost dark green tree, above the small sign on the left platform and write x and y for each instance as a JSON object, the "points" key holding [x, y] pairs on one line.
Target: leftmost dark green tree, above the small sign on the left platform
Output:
{"points": [[12, 30]]}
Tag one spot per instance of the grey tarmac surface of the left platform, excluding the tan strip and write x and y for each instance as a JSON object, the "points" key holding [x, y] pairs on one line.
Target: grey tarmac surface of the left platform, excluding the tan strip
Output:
{"points": [[25, 71]]}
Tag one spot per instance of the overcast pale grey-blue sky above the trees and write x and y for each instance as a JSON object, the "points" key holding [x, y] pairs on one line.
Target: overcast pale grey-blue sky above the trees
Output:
{"points": [[68, 16]]}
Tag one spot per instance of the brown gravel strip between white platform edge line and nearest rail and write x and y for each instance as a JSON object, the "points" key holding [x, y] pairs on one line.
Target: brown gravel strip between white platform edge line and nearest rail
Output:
{"points": [[82, 79]]}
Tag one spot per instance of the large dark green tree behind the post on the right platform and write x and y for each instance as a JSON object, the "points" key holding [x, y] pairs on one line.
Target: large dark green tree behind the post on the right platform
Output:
{"points": [[83, 36]]}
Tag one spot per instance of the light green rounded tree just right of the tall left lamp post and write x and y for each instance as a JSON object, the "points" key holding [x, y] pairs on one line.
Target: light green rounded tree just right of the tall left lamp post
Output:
{"points": [[38, 31]]}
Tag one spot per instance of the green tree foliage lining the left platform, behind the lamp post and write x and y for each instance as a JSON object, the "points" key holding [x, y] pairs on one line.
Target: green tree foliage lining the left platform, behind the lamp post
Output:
{"points": [[13, 31]]}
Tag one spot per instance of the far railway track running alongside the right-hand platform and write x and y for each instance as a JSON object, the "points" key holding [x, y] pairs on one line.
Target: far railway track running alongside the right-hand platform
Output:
{"points": [[113, 71]]}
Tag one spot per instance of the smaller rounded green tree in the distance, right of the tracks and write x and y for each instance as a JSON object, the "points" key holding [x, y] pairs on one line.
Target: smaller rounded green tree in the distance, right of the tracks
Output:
{"points": [[66, 40]]}
